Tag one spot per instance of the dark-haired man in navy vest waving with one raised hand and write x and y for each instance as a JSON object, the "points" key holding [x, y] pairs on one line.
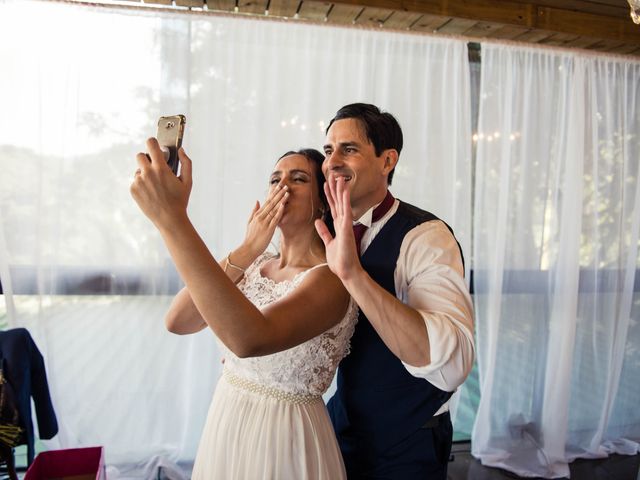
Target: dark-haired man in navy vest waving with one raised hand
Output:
{"points": [[413, 344]]}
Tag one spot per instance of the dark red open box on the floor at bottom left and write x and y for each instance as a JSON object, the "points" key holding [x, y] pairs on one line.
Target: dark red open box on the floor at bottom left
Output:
{"points": [[68, 464]]}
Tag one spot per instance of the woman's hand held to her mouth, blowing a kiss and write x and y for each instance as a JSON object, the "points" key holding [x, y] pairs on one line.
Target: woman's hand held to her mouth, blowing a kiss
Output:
{"points": [[264, 219]]}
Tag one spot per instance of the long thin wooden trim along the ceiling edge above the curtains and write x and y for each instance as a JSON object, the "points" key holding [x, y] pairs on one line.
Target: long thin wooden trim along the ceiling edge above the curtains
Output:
{"points": [[216, 13]]}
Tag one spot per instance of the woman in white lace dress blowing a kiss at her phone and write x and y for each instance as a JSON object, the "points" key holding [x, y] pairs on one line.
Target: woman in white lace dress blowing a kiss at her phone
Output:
{"points": [[283, 321]]}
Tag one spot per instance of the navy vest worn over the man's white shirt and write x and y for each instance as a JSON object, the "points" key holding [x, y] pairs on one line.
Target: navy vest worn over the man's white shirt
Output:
{"points": [[378, 403]]}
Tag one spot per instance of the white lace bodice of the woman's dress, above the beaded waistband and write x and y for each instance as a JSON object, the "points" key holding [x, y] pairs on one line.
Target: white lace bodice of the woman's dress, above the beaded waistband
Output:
{"points": [[307, 368]]}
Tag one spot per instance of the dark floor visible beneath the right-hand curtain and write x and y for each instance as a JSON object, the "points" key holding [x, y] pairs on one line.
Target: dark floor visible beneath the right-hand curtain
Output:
{"points": [[616, 467]]}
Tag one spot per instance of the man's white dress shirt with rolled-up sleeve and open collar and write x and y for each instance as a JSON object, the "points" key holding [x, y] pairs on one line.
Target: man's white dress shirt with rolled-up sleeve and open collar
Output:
{"points": [[429, 278]]}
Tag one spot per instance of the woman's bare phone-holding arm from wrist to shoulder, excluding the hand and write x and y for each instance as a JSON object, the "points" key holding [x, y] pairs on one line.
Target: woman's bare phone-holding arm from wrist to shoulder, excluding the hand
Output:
{"points": [[317, 304]]}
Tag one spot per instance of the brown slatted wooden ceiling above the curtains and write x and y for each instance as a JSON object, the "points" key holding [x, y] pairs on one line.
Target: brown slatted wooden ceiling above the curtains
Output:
{"points": [[602, 25]]}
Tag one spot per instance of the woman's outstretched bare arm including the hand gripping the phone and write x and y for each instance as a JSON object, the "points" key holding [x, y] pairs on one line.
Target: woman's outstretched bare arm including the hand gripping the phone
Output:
{"points": [[314, 306]]}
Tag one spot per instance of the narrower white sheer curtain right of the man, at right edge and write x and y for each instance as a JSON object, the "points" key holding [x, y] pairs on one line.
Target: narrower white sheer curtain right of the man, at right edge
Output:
{"points": [[556, 221]]}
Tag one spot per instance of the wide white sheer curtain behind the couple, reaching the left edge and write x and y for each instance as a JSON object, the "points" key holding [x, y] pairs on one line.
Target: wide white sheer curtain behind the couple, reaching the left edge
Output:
{"points": [[81, 88]]}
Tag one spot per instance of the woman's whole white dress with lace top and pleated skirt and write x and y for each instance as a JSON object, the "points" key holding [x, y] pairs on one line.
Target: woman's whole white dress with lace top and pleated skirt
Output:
{"points": [[267, 419]]}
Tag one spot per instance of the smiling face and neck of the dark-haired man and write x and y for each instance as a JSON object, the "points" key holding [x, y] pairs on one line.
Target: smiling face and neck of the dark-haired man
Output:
{"points": [[349, 154]]}
